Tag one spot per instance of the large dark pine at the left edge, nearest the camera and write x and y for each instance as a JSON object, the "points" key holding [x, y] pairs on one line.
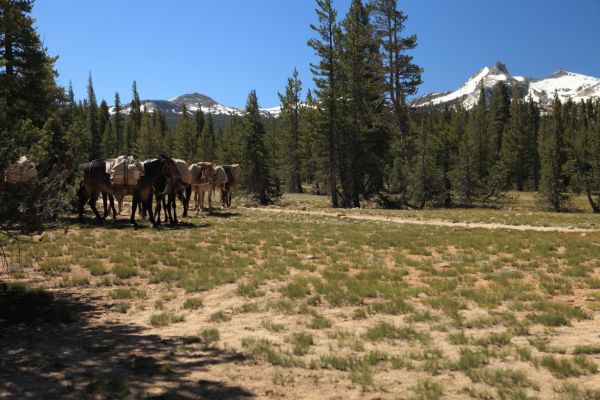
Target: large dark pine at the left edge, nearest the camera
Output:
{"points": [[30, 123]]}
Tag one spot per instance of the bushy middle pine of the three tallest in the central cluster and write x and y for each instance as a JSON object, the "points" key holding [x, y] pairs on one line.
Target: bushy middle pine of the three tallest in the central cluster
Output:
{"points": [[363, 89]]}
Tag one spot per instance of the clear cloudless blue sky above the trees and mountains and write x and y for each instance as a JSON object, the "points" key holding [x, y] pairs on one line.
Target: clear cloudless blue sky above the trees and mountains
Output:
{"points": [[226, 48]]}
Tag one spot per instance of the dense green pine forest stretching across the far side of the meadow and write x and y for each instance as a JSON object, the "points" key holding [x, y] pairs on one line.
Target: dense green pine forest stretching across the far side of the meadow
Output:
{"points": [[354, 138]]}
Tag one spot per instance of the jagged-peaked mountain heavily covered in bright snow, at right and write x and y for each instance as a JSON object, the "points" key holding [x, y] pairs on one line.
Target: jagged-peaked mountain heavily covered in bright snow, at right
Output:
{"points": [[568, 85]]}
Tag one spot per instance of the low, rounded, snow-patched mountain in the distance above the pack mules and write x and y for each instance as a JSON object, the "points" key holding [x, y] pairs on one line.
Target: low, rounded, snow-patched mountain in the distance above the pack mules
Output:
{"points": [[196, 101]]}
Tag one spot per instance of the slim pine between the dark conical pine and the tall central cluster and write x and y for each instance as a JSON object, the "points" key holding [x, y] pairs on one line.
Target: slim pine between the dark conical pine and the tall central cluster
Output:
{"points": [[290, 116]]}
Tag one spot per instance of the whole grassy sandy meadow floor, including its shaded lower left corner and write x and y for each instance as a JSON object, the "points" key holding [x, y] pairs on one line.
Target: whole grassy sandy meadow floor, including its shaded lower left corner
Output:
{"points": [[247, 303]]}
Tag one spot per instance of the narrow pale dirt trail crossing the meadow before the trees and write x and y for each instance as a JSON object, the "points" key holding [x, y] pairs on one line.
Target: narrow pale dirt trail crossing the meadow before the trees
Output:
{"points": [[430, 222]]}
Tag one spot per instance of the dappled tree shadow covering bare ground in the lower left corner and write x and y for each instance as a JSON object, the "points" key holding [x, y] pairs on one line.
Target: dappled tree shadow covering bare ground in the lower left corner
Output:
{"points": [[50, 347]]}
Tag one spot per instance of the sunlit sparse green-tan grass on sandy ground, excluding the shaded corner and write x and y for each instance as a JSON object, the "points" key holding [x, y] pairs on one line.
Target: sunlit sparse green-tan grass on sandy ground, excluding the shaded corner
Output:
{"points": [[358, 299]]}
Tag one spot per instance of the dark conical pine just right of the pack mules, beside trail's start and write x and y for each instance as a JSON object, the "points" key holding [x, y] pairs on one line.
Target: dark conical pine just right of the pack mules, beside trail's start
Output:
{"points": [[258, 178]]}
